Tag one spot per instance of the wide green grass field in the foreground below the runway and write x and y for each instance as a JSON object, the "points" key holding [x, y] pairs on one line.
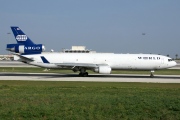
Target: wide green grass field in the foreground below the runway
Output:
{"points": [[88, 100]]}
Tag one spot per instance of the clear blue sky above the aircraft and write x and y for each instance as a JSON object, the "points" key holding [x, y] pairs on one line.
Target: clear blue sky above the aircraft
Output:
{"points": [[117, 26]]}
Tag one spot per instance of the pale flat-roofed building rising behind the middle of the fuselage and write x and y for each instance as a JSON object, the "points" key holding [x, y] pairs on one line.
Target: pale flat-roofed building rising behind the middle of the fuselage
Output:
{"points": [[78, 49]]}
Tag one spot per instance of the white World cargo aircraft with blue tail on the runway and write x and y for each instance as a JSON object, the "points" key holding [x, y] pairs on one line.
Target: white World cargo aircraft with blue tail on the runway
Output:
{"points": [[102, 63]]}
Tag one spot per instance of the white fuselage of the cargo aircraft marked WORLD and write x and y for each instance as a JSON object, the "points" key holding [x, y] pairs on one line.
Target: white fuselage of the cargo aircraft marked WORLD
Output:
{"points": [[115, 61]]}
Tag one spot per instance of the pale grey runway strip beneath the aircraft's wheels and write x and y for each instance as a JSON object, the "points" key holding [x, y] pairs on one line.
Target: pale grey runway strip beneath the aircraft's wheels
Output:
{"points": [[90, 78]]}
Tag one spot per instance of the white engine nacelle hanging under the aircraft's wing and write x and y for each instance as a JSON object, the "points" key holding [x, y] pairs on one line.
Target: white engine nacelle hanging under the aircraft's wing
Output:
{"points": [[103, 70]]}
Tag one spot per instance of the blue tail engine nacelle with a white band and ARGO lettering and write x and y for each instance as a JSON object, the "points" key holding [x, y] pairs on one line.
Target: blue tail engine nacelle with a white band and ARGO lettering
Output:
{"points": [[26, 49]]}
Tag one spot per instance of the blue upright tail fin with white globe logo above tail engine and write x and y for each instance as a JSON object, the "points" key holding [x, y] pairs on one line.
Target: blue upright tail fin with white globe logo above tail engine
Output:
{"points": [[20, 37]]}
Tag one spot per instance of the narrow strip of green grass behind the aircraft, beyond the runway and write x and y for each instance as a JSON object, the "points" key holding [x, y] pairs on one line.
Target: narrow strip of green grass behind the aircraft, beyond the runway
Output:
{"points": [[41, 70]]}
